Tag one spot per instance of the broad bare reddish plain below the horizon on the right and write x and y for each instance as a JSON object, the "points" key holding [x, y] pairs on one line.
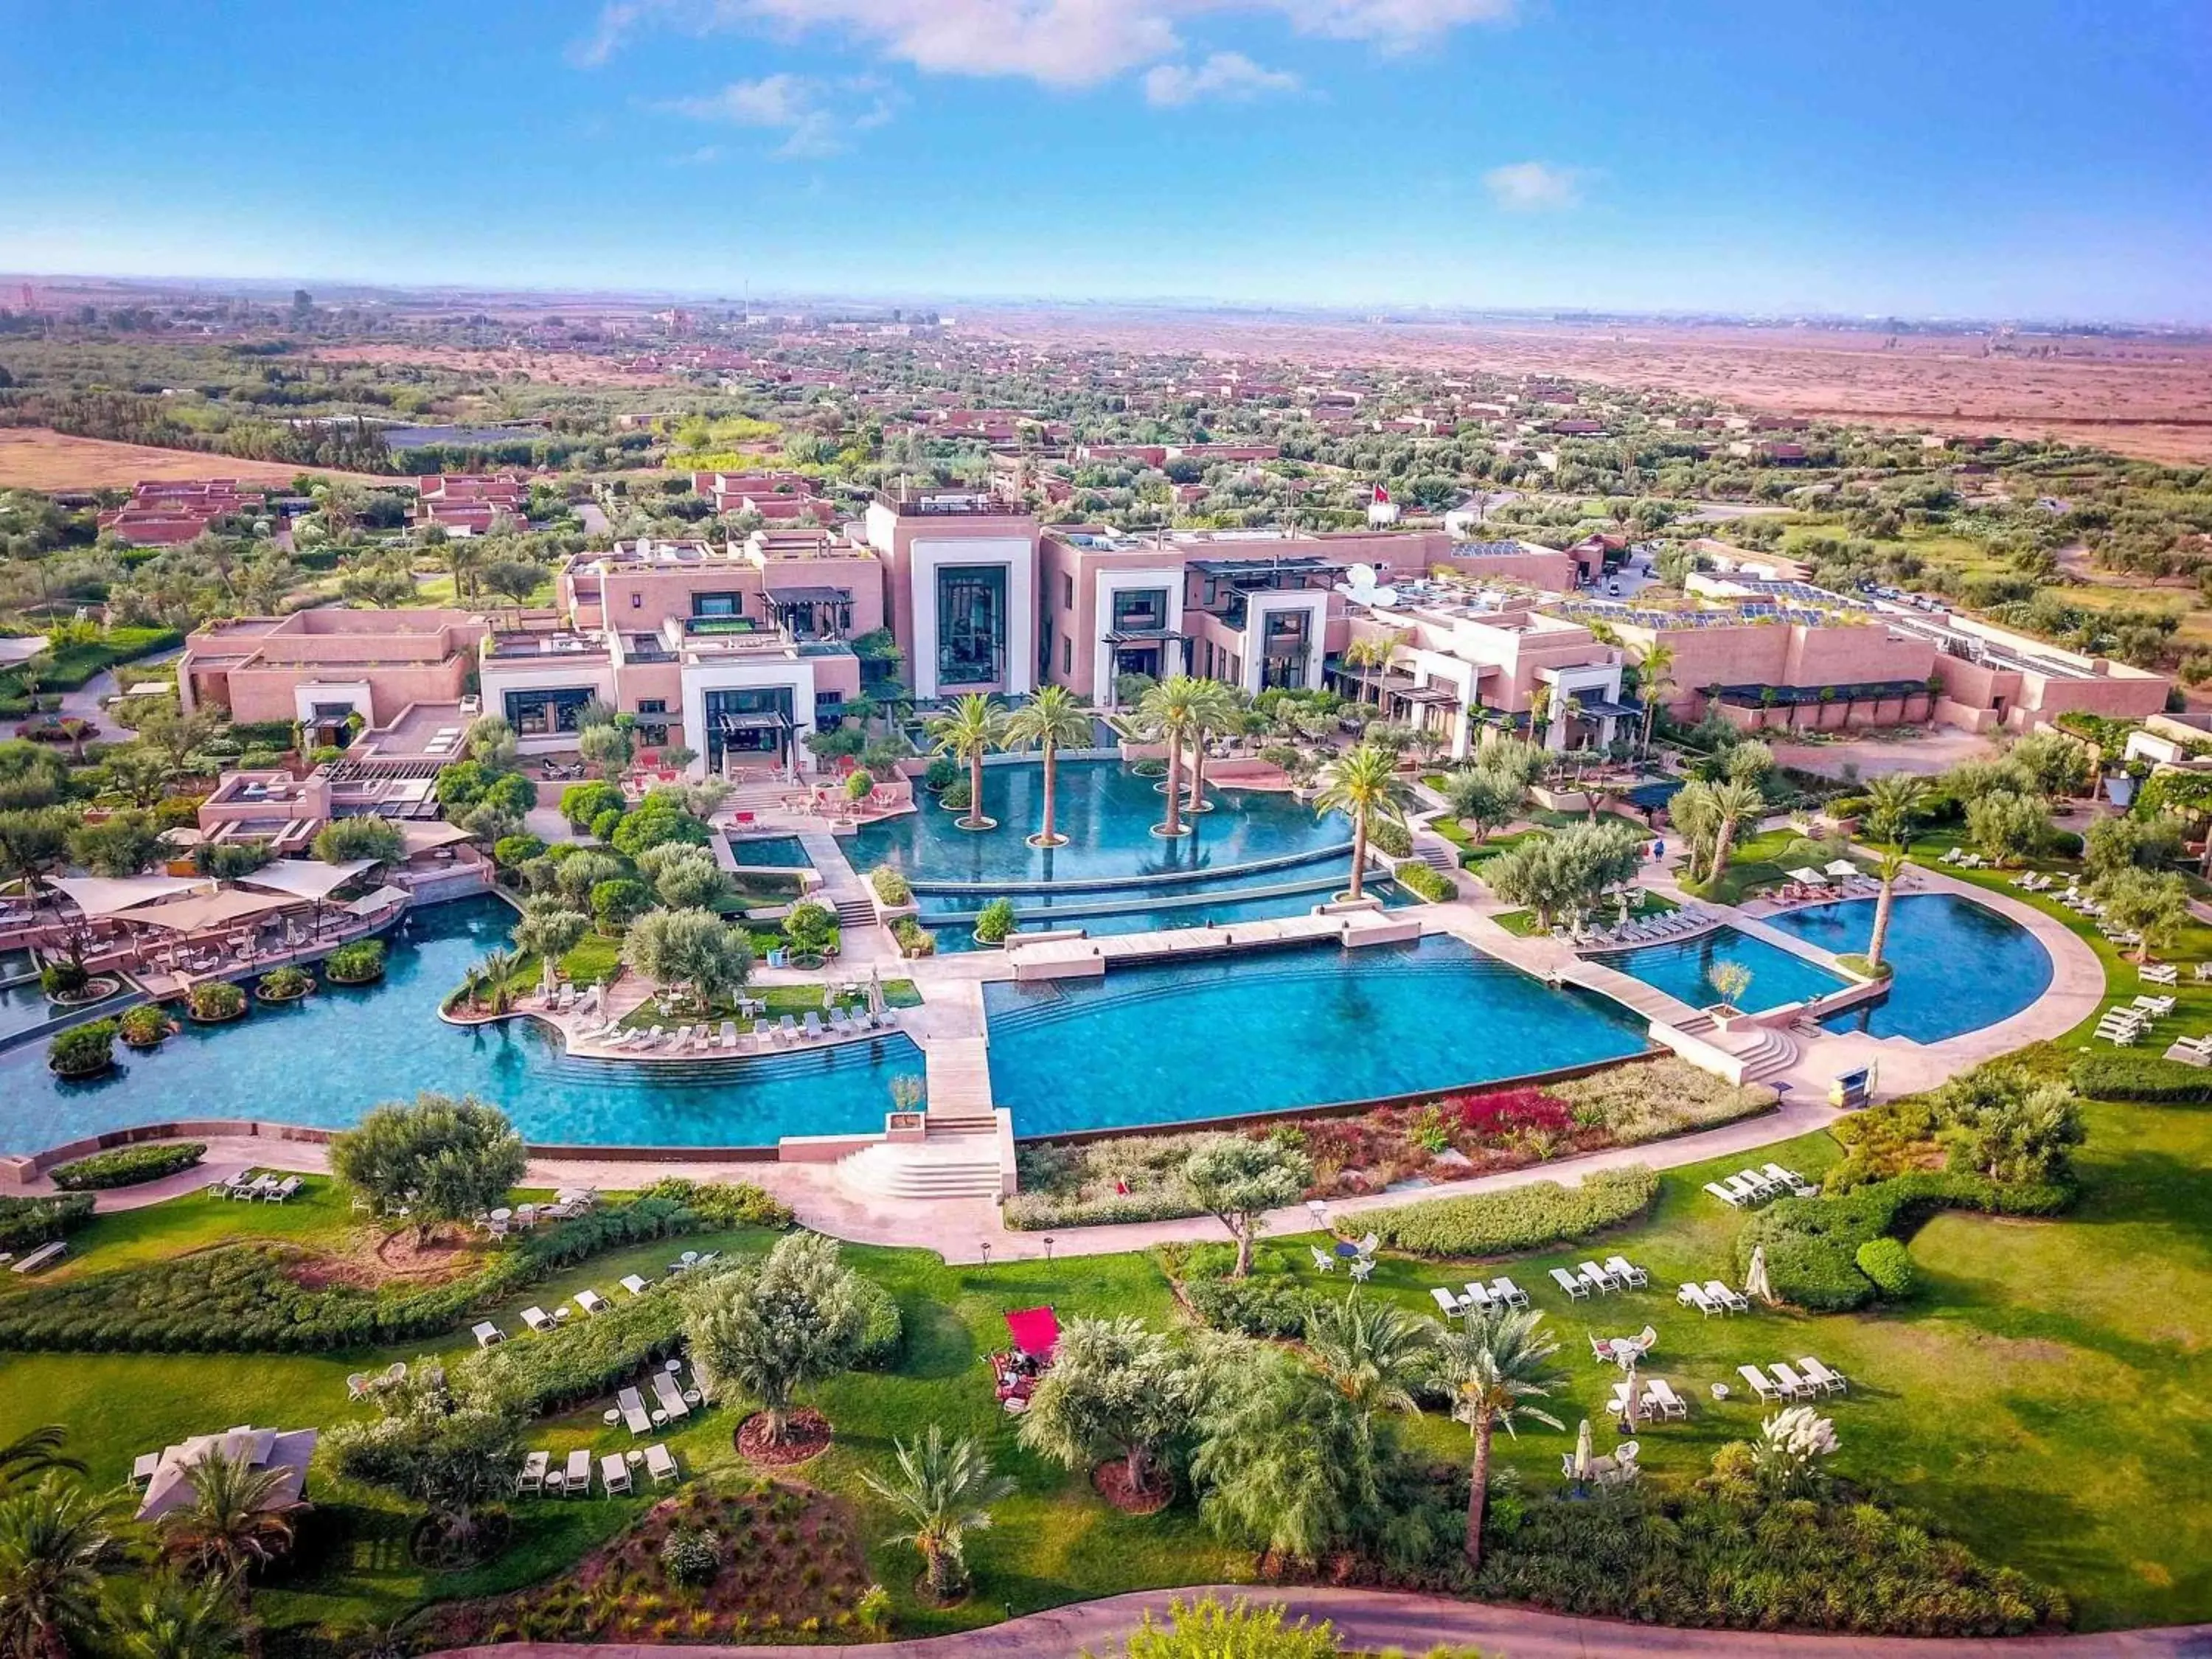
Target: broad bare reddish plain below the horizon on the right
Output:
{"points": [[2140, 397]]}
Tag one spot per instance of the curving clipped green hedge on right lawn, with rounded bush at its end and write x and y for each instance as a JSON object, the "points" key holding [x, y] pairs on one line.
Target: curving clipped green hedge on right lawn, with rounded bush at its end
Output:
{"points": [[1813, 1244]]}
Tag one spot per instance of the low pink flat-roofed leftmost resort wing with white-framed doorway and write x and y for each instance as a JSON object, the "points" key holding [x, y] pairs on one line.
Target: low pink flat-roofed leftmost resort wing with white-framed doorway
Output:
{"points": [[324, 667]]}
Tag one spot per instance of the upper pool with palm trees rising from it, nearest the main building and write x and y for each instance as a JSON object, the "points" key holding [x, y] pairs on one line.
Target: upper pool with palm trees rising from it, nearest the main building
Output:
{"points": [[1107, 813]]}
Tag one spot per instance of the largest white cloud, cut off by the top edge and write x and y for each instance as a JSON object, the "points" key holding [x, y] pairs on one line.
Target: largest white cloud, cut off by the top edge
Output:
{"points": [[1061, 43]]}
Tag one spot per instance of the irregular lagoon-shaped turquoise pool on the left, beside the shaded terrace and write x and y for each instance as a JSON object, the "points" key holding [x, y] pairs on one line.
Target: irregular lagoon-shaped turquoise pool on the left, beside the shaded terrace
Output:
{"points": [[333, 1056]]}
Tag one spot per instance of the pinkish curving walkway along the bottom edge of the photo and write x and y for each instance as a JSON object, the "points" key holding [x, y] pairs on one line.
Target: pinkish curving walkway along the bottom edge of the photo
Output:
{"points": [[1377, 1620]]}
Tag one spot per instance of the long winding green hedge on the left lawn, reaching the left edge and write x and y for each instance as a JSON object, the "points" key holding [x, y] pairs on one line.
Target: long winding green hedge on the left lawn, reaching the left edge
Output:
{"points": [[249, 1300]]}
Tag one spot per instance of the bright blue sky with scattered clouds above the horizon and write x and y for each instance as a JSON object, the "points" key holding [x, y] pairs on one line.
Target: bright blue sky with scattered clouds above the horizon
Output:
{"points": [[1866, 156]]}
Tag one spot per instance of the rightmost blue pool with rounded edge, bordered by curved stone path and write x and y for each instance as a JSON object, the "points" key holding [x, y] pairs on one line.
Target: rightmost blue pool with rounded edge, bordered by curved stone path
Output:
{"points": [[1954, 966]]}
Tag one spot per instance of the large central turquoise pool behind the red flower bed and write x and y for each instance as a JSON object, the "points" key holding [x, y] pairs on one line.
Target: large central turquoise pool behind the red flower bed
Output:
{"points": [[1284, 1030]]}
